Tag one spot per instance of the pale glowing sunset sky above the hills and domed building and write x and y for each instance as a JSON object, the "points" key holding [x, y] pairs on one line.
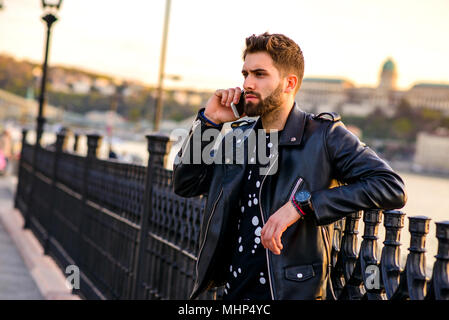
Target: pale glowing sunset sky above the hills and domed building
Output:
{"points": [[346, 38]]}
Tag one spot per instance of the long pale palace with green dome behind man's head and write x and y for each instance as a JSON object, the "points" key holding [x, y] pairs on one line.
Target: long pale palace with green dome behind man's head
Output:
{"points": [[340, 95]]}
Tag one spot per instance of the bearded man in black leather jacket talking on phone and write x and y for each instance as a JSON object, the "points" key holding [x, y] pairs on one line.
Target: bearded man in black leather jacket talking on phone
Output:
{"points": [[268, 236]]}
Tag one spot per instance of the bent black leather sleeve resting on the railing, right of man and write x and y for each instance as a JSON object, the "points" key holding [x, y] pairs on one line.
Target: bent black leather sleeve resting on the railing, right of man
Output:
{"points": [[369, 182]]}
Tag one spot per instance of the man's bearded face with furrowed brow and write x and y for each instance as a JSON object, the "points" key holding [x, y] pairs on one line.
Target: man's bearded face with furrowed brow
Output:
{"points": [[263, 85]]}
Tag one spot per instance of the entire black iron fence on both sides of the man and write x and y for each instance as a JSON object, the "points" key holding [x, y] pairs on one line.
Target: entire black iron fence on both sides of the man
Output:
{"points": [[132, 238]]}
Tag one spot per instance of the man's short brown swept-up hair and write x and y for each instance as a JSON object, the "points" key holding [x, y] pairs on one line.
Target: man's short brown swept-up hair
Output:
{"points": [[286, 53]]}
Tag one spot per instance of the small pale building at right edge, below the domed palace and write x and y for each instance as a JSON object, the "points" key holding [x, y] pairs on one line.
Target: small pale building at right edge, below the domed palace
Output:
{"points": [[432, 151]]}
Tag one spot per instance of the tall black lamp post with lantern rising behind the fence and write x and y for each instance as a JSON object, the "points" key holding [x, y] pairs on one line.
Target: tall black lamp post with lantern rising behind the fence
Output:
{"points": [[50, 7]]}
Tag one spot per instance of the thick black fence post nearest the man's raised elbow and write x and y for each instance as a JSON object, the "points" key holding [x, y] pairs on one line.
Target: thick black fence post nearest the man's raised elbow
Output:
{"points": [[158, 146]]}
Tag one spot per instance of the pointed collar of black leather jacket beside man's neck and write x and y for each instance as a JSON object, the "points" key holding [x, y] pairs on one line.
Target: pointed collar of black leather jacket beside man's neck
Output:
{"points": [[294, 127]]}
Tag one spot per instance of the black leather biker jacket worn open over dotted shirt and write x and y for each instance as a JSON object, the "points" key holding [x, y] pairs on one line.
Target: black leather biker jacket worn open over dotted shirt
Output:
{"points": [[342, 174]]}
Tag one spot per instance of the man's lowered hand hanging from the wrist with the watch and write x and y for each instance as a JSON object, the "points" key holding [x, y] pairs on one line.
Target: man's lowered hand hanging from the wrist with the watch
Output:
{"points": [[276, 225]]}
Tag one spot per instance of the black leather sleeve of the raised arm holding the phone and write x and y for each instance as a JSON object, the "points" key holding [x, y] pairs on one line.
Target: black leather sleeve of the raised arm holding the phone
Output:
{"points": [[191, 173]]}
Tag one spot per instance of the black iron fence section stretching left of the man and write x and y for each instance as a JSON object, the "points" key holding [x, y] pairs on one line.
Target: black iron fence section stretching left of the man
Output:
{"points": [[130, 236]]}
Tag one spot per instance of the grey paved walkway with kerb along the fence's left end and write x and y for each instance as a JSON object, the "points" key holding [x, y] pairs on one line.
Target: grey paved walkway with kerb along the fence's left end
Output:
{"points": [[25, 272]]}
